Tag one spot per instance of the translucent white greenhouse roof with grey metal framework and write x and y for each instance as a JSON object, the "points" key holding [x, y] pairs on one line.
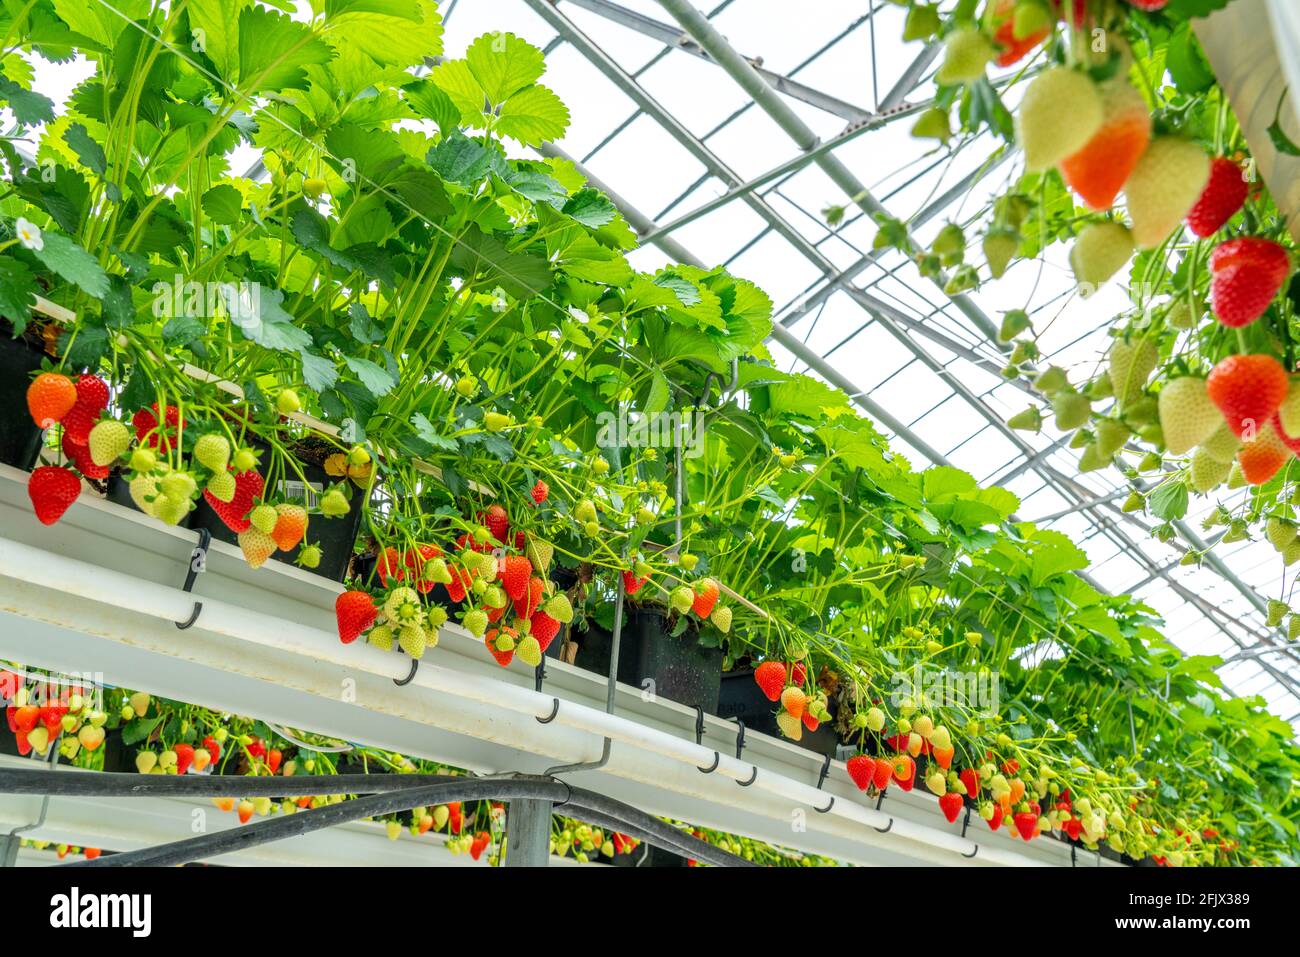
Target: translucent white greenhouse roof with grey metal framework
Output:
{"points": [[707, 174]]}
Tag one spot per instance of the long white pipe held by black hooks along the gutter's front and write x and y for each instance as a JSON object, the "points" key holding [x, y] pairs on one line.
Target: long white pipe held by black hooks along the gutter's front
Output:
{"points": [[109, 587]]}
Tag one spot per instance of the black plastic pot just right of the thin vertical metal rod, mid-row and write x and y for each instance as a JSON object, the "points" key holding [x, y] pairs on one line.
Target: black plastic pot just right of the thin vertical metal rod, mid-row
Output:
{"points": [[681, 668]]}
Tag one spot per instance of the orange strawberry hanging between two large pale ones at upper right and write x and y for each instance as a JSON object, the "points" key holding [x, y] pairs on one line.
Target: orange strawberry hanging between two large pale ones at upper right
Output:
{"points": [[1099, 171]]}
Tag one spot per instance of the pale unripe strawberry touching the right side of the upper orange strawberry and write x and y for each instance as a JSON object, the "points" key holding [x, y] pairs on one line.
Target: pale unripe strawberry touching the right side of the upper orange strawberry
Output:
{"points": [[1165, 184]]}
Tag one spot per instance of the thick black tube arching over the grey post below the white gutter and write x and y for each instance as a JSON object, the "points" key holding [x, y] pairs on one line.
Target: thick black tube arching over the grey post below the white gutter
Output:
{"points": [[606, 812]]}
